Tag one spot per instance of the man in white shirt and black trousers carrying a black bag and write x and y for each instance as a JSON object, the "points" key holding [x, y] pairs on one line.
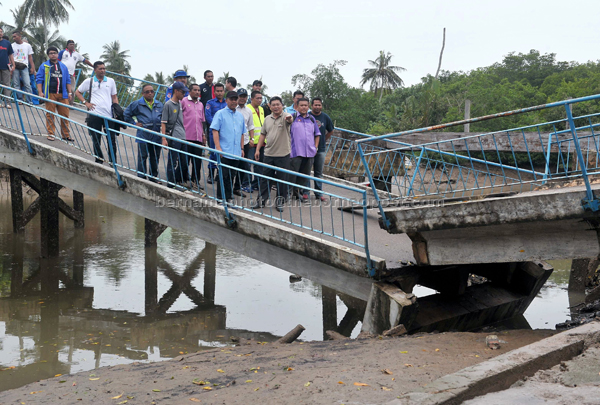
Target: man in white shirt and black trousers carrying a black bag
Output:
{"points": [[104, 95]]}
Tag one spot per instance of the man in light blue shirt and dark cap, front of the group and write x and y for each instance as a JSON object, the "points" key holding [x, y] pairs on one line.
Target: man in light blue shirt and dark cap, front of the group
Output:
{"points": [[228, 128]]}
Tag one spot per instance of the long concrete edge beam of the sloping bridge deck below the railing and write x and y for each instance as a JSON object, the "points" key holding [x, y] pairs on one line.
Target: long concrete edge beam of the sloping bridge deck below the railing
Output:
{"points": [[13, 151]]}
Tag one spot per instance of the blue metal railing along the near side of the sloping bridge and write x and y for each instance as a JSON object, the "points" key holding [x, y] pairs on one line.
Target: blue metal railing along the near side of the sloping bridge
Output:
{"points": [[323, 218]]}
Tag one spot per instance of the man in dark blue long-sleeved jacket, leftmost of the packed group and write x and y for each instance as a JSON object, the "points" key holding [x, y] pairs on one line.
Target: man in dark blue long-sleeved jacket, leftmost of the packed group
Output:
{"points": [[148, 113]]}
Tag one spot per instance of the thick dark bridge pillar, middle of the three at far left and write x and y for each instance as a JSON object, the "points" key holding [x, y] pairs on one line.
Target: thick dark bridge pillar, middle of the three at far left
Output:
{"points": [[49, 218]]}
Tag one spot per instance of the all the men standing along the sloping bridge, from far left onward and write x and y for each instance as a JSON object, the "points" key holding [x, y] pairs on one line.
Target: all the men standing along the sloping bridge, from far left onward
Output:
{"points": [[215, 115]]}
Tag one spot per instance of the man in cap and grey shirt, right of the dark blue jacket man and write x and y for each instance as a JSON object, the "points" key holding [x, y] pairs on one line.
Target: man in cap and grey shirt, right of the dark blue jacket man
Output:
{"points": [[172, 125]]}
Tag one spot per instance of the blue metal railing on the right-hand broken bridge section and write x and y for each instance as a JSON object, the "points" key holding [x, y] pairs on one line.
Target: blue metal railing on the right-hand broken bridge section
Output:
{"points": [[518, 159]]}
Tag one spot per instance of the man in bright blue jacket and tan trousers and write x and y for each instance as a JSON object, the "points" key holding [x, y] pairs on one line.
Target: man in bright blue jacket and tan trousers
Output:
{"points": [[54, 82]]}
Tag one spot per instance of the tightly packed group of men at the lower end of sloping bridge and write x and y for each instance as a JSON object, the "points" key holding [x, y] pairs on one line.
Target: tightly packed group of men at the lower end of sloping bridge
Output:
{"points": [[240, 125]]}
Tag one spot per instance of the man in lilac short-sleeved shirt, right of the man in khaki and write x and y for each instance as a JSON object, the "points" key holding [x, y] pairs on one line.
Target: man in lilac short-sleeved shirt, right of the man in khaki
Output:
{"points": [[305, 134]]}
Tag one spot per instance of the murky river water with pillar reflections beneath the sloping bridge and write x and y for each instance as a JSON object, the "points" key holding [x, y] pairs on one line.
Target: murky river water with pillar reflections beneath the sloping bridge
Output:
{"points": [[107, 300]]}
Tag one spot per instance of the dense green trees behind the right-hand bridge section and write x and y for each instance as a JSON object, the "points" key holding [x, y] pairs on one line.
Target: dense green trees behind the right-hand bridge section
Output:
{"points": [[519, 80]]}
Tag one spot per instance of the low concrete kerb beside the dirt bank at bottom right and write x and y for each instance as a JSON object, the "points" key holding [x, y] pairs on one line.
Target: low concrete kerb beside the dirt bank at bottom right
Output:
{"points": [[501, 372]]}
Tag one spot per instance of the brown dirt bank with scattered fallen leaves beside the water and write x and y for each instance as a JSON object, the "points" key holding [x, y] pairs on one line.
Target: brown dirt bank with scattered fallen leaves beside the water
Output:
{"points": [[364, 371]]}
